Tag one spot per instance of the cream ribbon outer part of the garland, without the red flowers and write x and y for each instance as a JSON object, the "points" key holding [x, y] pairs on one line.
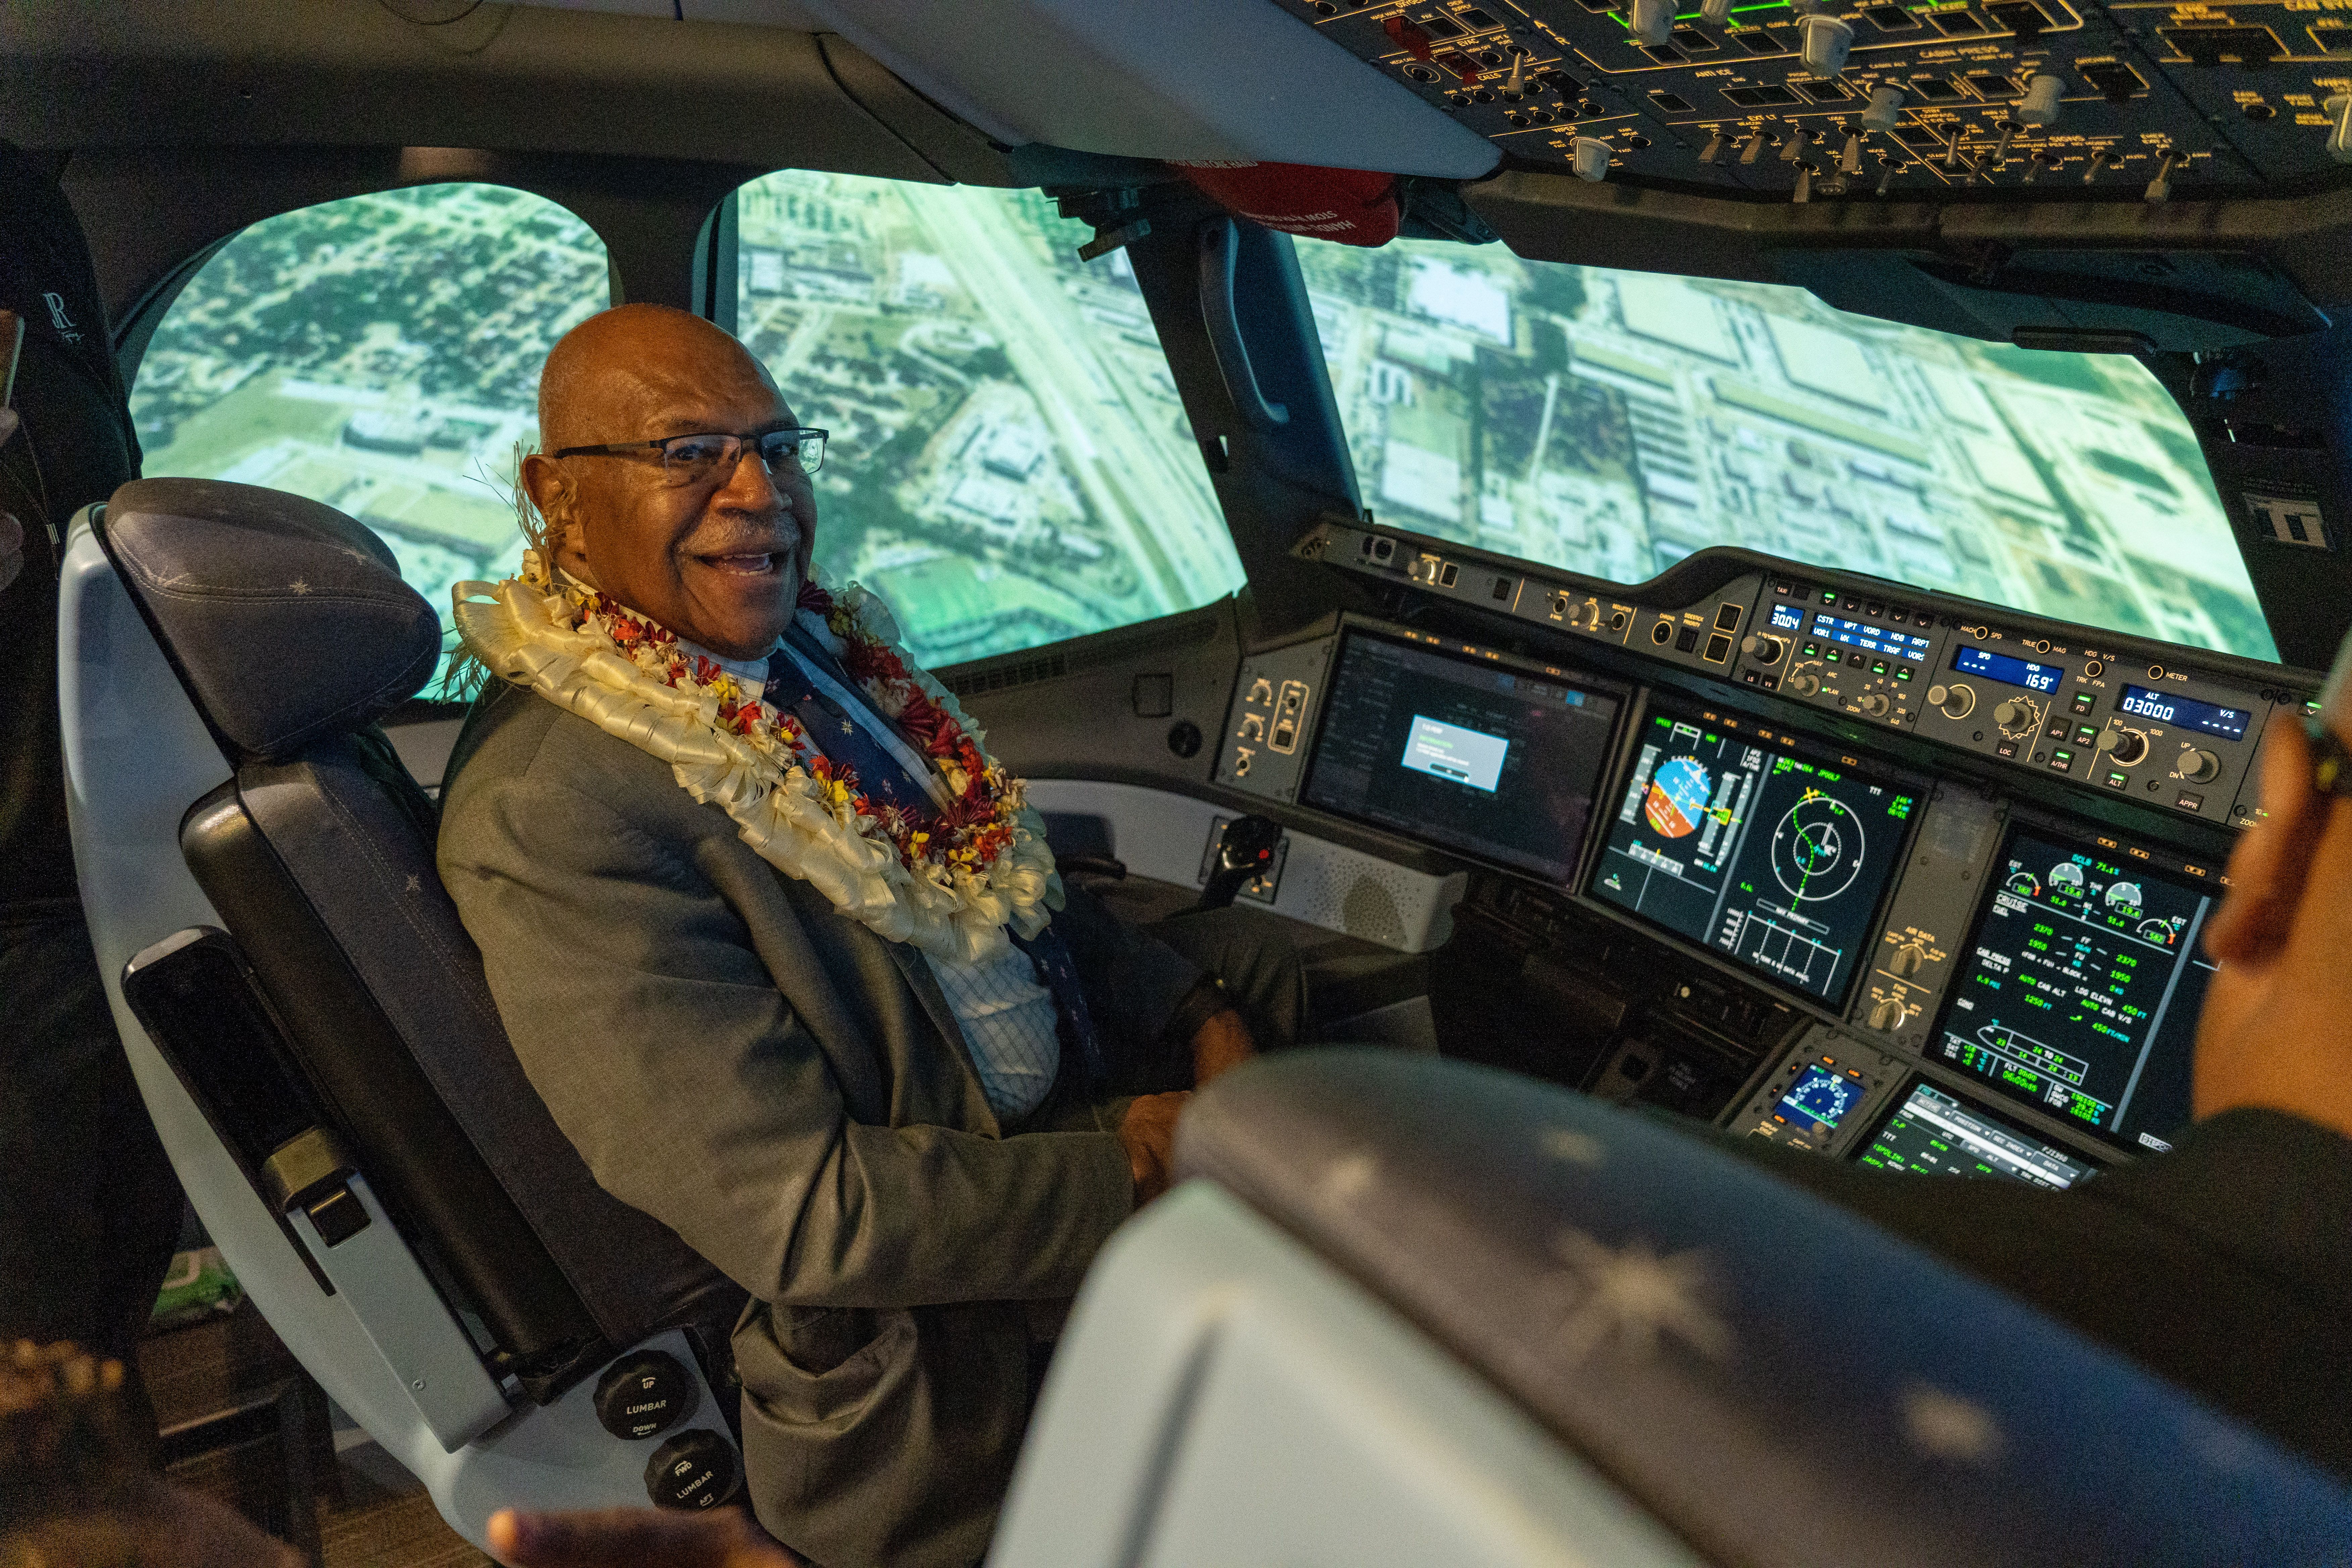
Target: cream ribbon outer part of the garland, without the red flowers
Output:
{"points": [[794, 822]]}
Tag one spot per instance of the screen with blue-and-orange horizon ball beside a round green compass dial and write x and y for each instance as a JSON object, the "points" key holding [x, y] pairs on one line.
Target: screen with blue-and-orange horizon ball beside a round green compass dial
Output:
{"points": [[1770, 857]]}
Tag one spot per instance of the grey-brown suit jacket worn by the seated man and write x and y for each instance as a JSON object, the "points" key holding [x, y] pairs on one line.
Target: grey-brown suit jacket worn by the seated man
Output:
{"points": [[791, 1097]]}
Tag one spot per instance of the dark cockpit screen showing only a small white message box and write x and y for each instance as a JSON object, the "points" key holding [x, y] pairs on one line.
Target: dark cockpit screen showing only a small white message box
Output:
{"points": [[1464, 753]]}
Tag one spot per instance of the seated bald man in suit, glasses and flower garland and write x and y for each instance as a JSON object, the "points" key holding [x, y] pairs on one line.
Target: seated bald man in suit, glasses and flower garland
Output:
{"points": [[784, 951]]}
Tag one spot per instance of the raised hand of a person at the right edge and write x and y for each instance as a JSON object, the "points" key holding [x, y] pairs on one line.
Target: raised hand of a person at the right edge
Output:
{"points": [[2278, 1019]]}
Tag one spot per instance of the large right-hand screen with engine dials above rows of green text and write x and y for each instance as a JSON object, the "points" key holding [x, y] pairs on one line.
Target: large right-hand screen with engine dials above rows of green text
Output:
{"points": [[2080, 991]]}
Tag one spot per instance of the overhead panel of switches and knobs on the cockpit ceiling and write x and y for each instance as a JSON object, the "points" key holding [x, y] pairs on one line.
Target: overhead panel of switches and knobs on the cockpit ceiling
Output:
{"points": [[1840, 100]]}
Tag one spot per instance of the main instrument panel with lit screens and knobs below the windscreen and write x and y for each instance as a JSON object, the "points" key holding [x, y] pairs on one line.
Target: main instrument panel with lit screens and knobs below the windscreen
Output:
{"points": [[1847, 866]]}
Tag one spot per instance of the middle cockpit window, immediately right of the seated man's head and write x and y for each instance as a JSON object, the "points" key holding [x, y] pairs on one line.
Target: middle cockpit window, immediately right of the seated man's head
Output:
{"points": [[1010, 462]]}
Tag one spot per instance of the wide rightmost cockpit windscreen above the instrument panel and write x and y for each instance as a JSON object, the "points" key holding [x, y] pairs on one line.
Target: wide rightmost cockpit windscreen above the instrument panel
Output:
{"points": [[1617, 422]]}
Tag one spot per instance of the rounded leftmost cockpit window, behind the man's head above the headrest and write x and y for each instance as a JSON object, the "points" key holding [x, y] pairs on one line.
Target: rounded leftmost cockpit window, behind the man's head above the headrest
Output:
{"points": [[377, 354]]}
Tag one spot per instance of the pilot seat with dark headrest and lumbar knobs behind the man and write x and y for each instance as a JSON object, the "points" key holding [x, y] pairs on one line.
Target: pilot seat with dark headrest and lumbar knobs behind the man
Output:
{"points": [[312, 1031]]}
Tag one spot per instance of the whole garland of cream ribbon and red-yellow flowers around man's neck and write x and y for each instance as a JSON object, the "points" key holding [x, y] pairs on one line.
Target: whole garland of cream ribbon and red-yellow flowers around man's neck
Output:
{"points": [[949, 883]]}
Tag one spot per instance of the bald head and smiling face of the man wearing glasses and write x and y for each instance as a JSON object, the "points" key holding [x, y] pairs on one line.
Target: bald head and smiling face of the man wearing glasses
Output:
{"points": [[721, 561]]}
